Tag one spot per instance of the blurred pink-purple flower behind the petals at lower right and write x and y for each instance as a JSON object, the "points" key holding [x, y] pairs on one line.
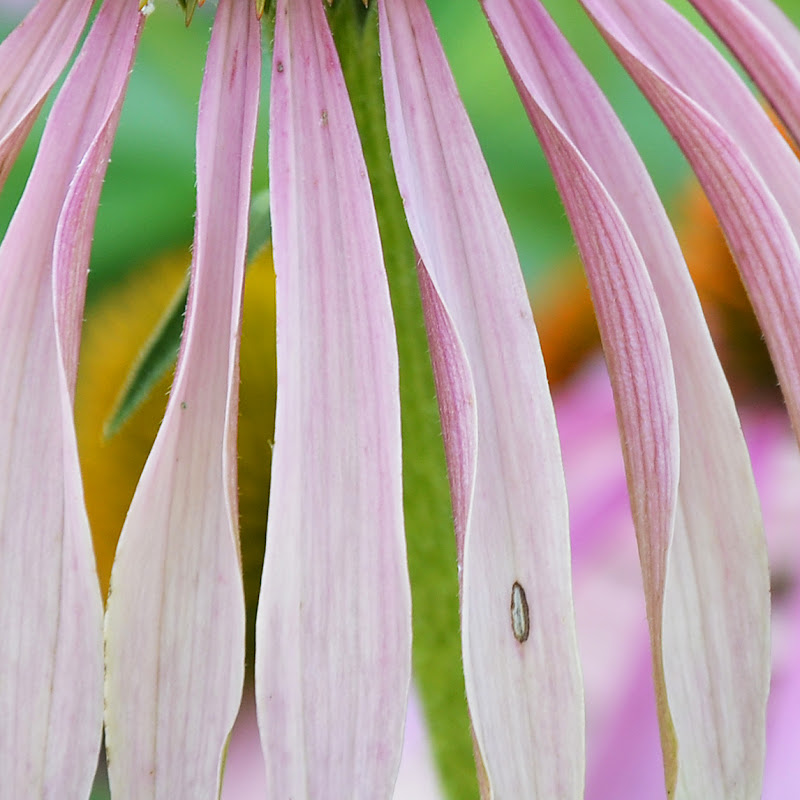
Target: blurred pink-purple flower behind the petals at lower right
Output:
{"points": [[623, 751]]}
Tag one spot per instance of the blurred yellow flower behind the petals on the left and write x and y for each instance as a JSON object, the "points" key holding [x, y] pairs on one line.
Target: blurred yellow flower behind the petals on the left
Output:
{"points": [[117, 328]]}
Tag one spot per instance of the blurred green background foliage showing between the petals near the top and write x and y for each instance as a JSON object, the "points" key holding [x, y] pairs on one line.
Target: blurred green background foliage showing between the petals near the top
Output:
{"points": [[148, 198]]}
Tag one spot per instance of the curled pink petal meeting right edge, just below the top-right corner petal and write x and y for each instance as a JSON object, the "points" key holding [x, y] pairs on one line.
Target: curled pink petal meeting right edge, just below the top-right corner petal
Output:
{"points": [[746, 168]]}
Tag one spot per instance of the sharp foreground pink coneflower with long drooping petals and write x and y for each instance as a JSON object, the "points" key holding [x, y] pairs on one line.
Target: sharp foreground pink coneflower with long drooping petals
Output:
{"points": [[165, 666]]}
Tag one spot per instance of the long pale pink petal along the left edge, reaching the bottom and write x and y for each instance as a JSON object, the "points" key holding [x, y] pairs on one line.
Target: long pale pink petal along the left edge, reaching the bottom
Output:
{"points": [[51, 663]]}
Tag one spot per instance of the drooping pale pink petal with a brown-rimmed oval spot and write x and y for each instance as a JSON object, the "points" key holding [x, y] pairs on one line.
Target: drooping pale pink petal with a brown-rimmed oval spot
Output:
{"points": [[509, 500]]}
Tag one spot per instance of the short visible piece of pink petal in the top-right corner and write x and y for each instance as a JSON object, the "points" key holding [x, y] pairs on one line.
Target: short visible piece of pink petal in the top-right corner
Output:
{"points": [[767, 44]]}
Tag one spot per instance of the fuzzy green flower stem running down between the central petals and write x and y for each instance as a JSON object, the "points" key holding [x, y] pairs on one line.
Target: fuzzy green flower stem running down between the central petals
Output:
{"points": [[429, 527]]}
